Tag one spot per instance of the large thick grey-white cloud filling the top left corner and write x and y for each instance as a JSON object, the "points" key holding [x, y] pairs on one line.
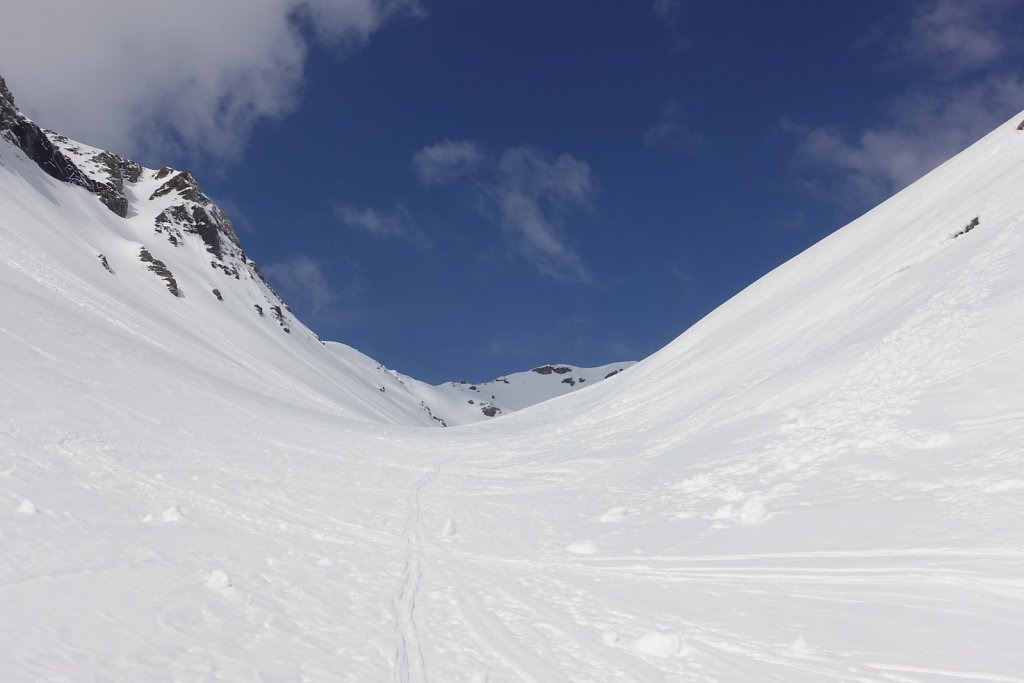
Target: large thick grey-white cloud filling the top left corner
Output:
{"points": [[189, 77]]}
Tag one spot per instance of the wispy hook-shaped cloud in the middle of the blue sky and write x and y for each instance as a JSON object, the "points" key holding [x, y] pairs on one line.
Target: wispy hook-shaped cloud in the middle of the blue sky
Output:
{"points": [[527, 191]]}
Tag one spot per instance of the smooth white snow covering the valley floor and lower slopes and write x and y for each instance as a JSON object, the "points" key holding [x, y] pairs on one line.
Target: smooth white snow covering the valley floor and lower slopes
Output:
{"points": [[823, 481]]}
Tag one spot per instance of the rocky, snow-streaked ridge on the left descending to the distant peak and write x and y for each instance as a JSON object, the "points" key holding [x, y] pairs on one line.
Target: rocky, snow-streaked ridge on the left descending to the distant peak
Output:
{"points": [[177, 232]]}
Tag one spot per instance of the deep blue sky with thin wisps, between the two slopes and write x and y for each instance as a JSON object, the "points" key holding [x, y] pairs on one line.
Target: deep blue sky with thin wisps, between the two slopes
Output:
{"points": [[463, 190]]}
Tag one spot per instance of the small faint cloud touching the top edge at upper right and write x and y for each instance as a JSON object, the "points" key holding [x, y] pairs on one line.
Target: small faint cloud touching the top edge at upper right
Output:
{"points": [[955, 36]]}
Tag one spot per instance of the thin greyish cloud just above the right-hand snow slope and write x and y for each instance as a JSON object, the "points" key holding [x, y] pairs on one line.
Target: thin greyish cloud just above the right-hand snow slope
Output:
{"points": [[921, 132]]}
